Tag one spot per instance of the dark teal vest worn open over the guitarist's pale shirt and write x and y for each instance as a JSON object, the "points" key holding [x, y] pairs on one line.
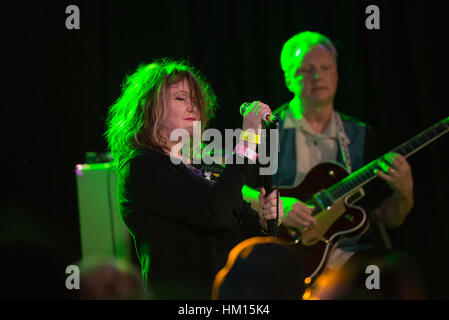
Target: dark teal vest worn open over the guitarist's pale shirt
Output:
{"points": [[355, 131]]}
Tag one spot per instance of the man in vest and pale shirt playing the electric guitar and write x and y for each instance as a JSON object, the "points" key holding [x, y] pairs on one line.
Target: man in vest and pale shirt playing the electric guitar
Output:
{"points": [[312, 132]]}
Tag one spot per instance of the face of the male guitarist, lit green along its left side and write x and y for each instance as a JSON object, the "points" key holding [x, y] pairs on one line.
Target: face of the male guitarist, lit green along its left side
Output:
{"points": [[315, 80]]}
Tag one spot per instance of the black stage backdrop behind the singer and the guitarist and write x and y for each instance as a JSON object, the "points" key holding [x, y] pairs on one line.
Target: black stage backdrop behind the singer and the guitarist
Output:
{"points": [[58, 84]]}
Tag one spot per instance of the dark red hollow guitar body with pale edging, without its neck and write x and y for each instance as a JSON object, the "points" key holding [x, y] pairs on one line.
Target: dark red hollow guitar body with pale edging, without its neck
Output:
{"points": [[334, 224]]}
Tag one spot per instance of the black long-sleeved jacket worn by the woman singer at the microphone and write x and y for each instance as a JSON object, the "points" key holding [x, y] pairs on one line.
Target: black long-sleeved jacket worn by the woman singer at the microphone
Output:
{"points": [[183, 225]]}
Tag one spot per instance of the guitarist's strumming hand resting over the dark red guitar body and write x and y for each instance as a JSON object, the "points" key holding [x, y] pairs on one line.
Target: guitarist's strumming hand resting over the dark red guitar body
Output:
{"points": [[297, 215]]}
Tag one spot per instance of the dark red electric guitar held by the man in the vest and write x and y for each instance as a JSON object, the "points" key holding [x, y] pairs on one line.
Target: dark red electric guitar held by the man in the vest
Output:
{"points": [[334, 193]]}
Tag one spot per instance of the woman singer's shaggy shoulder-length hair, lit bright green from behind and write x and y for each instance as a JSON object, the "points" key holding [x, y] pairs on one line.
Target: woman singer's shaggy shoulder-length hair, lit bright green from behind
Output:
{"points": [[136, 119]]}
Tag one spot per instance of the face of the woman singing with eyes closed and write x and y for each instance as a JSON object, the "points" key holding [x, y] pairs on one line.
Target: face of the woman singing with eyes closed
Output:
{"points": [[181, 113]]}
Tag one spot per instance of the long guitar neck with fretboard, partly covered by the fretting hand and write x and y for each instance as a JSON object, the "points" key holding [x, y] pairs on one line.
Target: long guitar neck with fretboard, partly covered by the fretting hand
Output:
{"points": [[367, 173]]}
